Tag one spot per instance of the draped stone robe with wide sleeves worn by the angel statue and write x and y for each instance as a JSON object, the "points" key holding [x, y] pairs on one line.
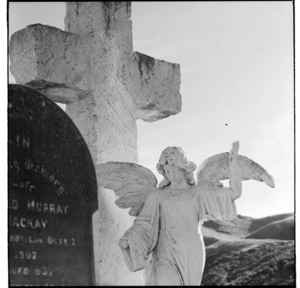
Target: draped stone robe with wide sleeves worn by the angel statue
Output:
{"points": [[167, 229]]}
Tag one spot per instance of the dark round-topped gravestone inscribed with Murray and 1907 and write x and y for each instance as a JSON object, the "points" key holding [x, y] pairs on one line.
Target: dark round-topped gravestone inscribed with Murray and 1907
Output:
{"points": [[52, 194]]}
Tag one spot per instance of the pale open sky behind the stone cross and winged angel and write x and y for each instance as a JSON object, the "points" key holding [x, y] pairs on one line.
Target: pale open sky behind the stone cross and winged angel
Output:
{"points": [[236, 61]]}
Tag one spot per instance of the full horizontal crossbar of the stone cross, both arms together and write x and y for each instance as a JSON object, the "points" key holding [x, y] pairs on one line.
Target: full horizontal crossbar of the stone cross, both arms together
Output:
{"points": [[68, 67]]}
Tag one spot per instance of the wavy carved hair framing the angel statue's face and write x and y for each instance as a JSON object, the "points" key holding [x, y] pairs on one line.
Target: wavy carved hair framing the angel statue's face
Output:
{"points": [[175, 156]]}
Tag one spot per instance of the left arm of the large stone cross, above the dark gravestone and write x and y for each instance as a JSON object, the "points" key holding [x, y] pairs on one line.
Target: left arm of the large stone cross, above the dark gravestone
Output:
{"points": [[51, 61]]}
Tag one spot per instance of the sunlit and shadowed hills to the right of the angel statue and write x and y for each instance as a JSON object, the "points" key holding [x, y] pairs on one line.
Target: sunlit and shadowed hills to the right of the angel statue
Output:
{"points": [[250, 251]]}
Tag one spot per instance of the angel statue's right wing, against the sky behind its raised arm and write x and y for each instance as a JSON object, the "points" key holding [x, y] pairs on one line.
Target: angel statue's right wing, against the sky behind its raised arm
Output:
{"points": [[216, 168]]}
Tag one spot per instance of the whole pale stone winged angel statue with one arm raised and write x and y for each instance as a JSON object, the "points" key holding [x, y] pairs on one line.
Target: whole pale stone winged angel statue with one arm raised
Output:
{"points": [[165, 240]]}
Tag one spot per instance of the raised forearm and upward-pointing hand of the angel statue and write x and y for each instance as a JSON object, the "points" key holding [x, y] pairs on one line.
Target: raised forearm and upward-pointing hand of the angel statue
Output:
{"points": [[235, 182]]}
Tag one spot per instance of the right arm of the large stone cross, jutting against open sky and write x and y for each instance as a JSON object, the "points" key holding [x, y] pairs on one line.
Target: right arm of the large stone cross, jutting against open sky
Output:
{"points": [[156, 89]]}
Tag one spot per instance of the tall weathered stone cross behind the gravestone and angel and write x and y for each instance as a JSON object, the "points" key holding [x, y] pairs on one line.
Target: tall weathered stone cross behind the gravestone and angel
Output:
{"points": [[91, 67]]}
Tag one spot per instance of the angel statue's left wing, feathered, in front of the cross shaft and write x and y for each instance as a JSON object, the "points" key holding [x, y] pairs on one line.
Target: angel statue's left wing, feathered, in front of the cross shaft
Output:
{"points": [[130, 182]]}
